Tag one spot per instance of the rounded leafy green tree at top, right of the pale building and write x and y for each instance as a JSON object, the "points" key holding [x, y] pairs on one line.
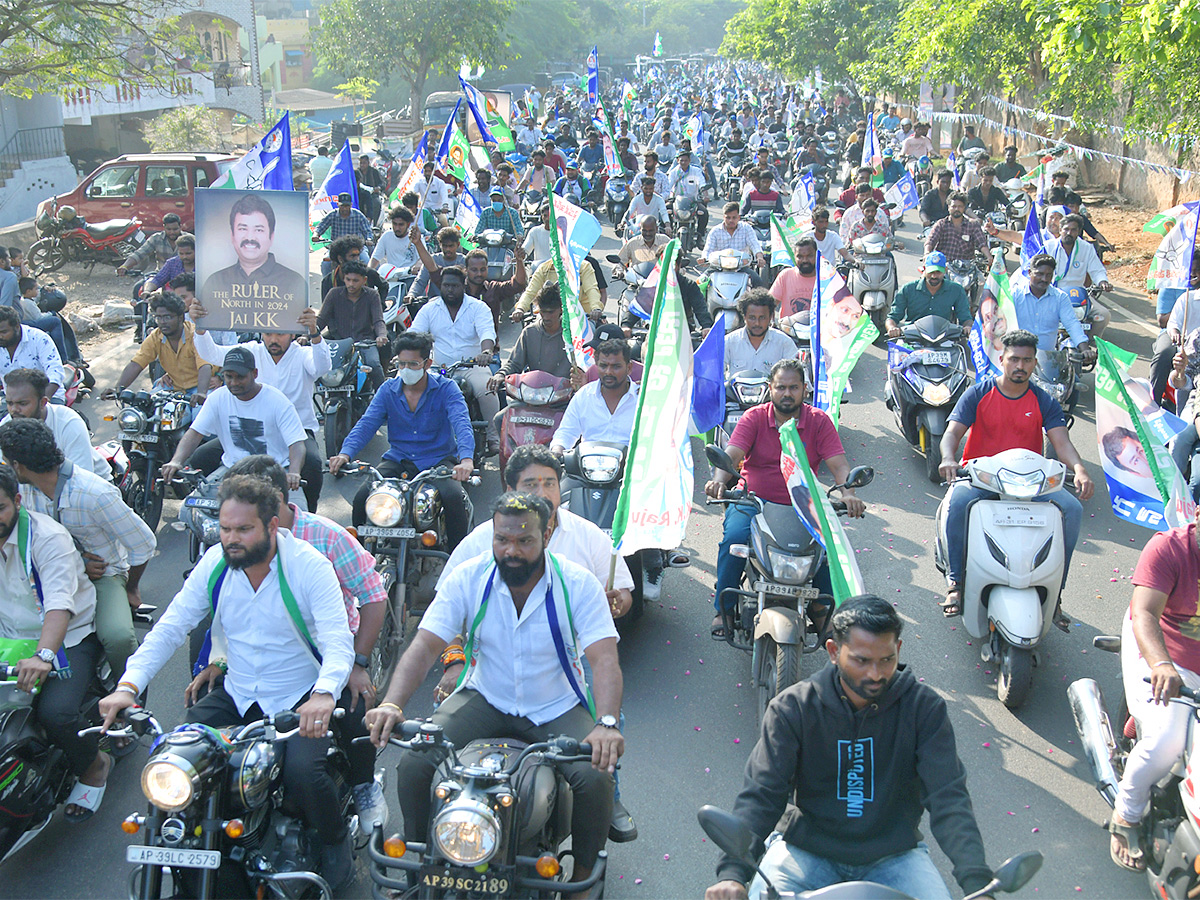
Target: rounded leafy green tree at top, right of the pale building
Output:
{"points": [[411, 39]]}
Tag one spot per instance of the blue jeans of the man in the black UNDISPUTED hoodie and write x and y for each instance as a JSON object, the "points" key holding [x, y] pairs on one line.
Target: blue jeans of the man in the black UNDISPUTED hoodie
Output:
{"points": [[794, 869]]}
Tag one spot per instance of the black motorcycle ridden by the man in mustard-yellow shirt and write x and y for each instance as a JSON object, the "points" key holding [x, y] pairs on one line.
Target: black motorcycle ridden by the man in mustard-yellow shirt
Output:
{"points": [[151, 427]]}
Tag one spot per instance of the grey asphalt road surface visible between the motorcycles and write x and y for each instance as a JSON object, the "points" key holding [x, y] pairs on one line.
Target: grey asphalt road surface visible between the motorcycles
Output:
{"points": [[689, 706]]}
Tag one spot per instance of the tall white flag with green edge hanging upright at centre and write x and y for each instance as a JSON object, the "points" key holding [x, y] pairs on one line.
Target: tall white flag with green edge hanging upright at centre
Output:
{"points": [[656, 496]]}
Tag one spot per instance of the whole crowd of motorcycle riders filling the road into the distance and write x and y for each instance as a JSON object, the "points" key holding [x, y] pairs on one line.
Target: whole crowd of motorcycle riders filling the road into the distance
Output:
{"points": [[526, 626]]}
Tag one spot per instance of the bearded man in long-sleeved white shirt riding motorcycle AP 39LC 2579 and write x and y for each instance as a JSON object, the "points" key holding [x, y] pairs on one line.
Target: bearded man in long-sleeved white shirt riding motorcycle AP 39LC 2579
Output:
{"points": [[289, 643]]}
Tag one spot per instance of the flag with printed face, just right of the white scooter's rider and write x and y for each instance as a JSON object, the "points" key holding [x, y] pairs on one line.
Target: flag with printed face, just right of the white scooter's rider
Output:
{"points": [[1145, 485]]}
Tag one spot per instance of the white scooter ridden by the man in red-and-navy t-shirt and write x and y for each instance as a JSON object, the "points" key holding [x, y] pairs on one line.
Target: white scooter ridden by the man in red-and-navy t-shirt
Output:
{"points": [[1015, 562]]}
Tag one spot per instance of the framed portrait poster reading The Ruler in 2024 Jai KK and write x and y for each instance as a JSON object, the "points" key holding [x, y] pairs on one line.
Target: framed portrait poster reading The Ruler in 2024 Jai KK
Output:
{"points": [[253, 260]]}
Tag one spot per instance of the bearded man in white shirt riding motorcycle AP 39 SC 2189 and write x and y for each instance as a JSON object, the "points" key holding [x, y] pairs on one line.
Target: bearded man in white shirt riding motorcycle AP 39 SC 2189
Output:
{"points": [[519, 683]]}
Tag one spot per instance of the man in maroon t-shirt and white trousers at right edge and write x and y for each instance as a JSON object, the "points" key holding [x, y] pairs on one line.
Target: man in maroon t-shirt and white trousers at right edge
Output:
{"points": [[1160, 643]]}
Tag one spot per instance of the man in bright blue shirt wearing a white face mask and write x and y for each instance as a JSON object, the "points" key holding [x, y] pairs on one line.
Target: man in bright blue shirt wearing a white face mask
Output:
{"points": [[428, 425]]}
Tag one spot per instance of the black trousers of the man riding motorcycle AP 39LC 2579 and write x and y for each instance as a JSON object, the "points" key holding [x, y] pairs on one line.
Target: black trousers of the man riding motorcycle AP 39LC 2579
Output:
{"points": [[308, 784]]}
